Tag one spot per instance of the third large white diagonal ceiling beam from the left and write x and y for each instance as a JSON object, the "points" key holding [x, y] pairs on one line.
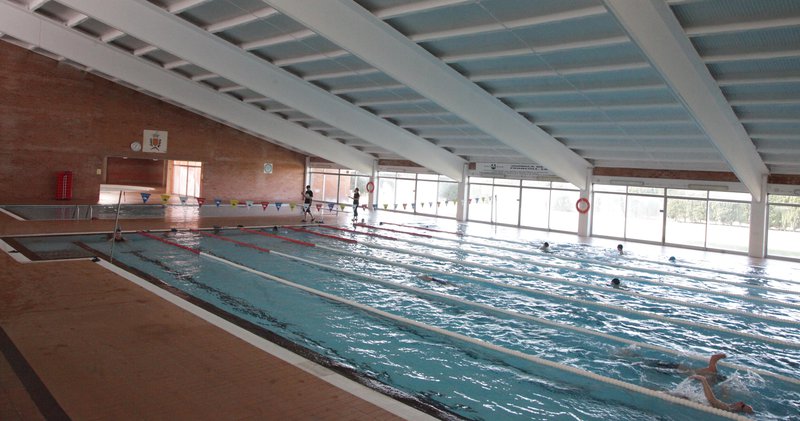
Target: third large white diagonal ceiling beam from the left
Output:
{"points": [[347, 24]]}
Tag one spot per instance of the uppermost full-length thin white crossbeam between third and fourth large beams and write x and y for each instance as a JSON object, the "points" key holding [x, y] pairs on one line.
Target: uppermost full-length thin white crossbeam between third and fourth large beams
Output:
{"points": [[512, 24]]}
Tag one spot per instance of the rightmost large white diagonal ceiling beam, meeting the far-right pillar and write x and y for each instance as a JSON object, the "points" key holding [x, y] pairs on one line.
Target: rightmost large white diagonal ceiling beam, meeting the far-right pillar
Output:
{"points": [[653, 27]]}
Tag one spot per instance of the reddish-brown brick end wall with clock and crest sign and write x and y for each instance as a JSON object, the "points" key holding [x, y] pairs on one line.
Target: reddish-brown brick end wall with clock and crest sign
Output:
{"points": [[54, 117]]}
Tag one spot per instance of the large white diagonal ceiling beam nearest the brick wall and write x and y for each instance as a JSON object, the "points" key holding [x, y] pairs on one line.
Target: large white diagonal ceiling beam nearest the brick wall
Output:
{"points": [[79, 48]]}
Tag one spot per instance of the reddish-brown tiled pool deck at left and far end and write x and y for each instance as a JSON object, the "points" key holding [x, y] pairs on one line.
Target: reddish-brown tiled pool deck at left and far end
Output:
{"points": [[101, 347]]}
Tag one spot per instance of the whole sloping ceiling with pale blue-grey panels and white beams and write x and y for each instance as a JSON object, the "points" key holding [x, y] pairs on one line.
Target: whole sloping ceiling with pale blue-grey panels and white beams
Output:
{"points": [[568, 84]]}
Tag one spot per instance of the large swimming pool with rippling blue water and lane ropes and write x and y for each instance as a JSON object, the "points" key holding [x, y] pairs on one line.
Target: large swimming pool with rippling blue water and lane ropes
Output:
{"points": [[481, 327]]}
